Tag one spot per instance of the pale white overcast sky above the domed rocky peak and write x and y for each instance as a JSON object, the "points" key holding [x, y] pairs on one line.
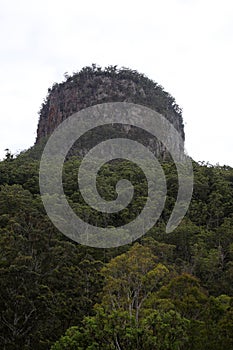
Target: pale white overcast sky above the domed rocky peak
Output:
{"points": [[184, 45]]}
